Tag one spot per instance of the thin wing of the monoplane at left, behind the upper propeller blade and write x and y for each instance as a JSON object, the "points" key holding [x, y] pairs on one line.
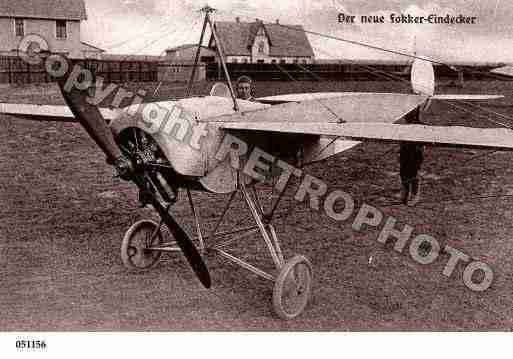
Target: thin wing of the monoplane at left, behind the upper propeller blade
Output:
{"points": [[48, 112]]}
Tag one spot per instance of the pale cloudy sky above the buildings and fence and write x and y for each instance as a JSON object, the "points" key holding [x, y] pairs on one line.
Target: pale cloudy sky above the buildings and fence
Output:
{"points": [[151, 26]]}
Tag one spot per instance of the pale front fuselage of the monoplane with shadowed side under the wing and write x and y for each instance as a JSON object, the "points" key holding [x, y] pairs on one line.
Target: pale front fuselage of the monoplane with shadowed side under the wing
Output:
{"points": [[189, 133]]}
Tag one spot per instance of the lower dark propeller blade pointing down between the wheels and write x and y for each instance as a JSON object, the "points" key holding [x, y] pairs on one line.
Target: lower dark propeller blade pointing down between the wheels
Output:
{"points": [[184, 242]]}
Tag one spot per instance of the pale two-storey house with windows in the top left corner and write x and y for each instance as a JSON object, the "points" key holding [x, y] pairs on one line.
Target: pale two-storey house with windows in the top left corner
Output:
{"points": [[57, 21]]}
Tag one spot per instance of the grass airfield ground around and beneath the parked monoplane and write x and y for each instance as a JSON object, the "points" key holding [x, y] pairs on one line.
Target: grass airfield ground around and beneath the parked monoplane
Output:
{"points": [[63, 216]]}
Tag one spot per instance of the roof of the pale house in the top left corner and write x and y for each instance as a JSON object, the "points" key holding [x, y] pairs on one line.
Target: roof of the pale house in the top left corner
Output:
{"points": [[44, 9]]}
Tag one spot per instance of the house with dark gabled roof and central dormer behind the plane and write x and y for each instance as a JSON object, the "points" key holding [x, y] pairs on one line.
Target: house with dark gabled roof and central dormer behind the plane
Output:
{"points": [[256, 42]]}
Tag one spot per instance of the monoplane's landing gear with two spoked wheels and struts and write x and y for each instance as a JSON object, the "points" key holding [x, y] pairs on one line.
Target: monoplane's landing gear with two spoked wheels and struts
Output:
{"points": [[292, 279]]}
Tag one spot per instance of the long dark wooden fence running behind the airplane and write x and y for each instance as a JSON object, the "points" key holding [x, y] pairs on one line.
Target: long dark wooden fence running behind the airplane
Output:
{"points": [[13, 70]]}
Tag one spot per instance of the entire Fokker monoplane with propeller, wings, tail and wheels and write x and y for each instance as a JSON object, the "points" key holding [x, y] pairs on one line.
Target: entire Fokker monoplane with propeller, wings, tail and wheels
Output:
{"points": [[209, 143]]}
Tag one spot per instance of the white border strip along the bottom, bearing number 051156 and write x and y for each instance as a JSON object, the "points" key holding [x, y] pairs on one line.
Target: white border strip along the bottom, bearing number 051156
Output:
{"points": [[260, 345]]}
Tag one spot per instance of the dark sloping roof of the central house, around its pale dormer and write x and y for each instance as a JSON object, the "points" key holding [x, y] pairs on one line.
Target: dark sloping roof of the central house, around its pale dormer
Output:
{"points": [[286, 40]]}
